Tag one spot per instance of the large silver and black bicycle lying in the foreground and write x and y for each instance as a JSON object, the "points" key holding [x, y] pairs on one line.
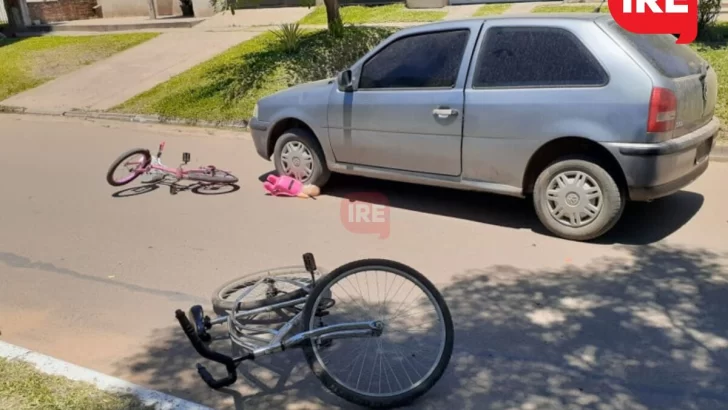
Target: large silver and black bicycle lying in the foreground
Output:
{"points": [[375, 332]]}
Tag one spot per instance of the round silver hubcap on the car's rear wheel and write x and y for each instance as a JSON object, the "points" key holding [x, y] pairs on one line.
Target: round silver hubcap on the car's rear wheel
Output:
{"points": [[574, 198]]}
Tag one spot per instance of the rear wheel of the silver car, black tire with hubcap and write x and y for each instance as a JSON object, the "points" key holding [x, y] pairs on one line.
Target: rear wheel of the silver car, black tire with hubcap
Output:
{"points": [[580, 187]]}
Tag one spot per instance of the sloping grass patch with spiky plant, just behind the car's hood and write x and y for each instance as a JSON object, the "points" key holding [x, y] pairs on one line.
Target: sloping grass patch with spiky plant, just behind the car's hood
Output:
{"points": [[227, 87]]}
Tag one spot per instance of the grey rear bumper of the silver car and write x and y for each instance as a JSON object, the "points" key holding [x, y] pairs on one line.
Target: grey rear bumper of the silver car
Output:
{"points": [[657, 170]]}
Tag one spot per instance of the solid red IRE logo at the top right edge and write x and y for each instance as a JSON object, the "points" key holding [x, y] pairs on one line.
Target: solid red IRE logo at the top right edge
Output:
{"points": [[679, 17]]}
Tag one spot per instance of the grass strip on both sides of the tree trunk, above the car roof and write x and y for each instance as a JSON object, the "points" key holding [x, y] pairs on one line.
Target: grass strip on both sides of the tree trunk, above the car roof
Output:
{"points": [[391, 13]]}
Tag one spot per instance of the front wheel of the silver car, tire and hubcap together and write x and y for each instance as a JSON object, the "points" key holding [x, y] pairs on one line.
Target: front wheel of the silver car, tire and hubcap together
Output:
{"points": [[298, 155]]}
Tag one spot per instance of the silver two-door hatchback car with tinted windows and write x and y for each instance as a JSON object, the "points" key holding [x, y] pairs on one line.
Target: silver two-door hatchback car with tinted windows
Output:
{"points": [[570, 110]]}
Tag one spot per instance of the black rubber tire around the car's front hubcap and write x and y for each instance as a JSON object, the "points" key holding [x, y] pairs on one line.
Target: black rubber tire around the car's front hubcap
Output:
{"points": [[320, 173]]}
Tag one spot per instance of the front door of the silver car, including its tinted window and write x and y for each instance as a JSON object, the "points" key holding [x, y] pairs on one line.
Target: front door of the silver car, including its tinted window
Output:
{"points": [[406, 112]]}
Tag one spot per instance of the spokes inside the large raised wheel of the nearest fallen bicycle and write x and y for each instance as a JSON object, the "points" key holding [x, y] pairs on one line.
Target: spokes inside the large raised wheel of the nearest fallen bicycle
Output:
{"points": [[405, 353]]}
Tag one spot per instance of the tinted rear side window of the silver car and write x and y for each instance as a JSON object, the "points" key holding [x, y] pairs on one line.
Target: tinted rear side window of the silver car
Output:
{"points": [[535, 57]]}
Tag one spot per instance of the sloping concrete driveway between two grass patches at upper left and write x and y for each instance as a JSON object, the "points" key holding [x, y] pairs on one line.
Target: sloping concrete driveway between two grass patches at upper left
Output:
{"points": [[110, 82]]}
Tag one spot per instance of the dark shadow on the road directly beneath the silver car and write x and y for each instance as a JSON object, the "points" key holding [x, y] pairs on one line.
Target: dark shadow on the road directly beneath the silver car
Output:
{"points": [[641, 223]]}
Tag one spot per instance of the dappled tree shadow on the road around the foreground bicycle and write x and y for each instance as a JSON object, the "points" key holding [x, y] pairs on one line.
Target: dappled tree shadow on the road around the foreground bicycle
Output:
{"points": [[643, 332]]}
